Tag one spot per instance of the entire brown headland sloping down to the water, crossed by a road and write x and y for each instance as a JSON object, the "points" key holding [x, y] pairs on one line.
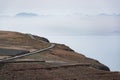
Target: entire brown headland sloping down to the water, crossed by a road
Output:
{"points": [[58, 62]]}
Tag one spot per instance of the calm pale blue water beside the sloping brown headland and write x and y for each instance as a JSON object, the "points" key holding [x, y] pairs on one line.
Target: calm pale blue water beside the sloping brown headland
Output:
{"points": [[105, 49]]}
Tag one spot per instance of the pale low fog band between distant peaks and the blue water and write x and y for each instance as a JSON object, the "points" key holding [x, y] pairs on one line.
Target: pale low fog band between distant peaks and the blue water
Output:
{"points": [[63, 24]]}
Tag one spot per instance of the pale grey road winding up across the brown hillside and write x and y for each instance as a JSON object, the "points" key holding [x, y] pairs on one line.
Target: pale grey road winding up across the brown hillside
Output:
{"points": [[33, 52]]}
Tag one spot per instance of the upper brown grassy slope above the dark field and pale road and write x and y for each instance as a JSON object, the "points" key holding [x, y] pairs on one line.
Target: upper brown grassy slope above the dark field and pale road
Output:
{"points": [[18, 40]]}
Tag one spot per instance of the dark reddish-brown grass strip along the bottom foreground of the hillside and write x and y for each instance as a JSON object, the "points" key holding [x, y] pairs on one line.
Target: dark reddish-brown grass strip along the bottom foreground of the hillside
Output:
{"points": [[44, 71]]}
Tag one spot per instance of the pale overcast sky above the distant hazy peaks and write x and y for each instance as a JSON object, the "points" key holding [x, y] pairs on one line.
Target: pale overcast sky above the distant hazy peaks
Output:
{"points": [[59, 6]]}
